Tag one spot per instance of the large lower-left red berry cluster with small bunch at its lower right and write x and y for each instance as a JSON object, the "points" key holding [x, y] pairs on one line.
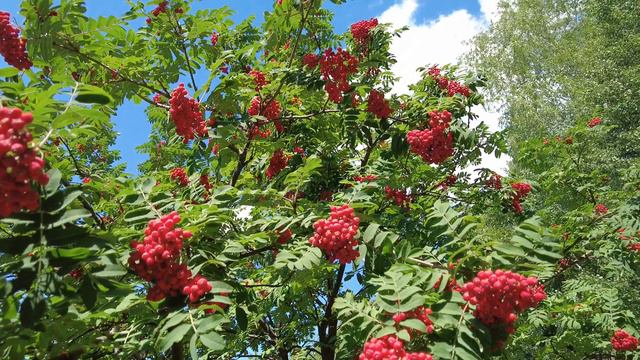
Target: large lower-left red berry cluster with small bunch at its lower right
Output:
{"points": [[156, 261]]}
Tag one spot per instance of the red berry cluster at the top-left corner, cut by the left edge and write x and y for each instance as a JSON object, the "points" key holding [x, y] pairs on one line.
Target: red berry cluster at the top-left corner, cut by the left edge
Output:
{"points": [[12, 47]]}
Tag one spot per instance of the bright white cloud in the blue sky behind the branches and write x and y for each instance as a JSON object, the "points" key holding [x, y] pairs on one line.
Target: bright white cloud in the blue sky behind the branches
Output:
{"points": [[439, 41]]}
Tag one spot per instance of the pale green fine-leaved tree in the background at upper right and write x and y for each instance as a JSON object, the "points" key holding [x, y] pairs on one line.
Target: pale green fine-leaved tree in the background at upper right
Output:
{"points": [[549, 63]]}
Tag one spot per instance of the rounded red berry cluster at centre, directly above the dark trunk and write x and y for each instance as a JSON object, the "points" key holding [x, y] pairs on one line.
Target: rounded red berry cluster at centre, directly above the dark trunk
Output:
{"points": [[336, 235]]}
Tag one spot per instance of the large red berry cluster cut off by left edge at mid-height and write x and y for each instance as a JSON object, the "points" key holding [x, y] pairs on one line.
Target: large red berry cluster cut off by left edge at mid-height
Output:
{"points": [[20, 166]]}
